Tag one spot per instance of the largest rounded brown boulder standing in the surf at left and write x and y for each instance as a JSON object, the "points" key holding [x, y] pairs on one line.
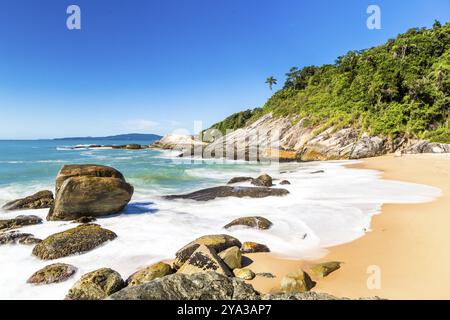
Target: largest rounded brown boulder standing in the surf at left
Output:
{"points": [[89, 190]]}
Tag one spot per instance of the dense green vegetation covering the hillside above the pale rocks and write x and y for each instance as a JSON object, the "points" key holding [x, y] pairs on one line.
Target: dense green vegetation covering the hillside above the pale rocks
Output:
{"points": [[401, 88]]}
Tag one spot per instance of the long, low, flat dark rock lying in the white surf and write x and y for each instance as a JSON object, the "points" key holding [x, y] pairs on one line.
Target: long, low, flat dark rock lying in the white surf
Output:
{"points": [[227, 191]]}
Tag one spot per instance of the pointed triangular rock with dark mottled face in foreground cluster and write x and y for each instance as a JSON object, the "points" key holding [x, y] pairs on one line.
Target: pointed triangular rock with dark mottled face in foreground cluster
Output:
{"points": [[204, 259]]}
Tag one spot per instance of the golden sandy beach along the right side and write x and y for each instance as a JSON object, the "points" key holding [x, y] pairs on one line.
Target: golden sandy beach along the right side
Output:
{"points": [[408, 244]]}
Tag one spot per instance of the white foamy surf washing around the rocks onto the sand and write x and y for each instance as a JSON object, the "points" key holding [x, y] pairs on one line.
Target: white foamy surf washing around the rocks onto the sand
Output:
{"points": [[321, 210]]}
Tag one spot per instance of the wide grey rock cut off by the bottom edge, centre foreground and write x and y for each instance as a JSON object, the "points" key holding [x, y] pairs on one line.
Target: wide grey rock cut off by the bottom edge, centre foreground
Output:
{"points": [[199, 286]]}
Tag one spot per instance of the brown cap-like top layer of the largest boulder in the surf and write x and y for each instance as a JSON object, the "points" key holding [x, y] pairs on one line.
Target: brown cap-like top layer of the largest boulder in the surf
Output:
{"points": [[85, 170]]}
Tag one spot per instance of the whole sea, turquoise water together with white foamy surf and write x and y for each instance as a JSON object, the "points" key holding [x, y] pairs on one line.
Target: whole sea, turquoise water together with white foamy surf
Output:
{"points": [[322, 210]]}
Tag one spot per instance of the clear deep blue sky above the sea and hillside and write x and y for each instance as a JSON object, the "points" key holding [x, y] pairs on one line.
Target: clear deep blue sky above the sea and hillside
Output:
{"points": [[156, 65]]}
